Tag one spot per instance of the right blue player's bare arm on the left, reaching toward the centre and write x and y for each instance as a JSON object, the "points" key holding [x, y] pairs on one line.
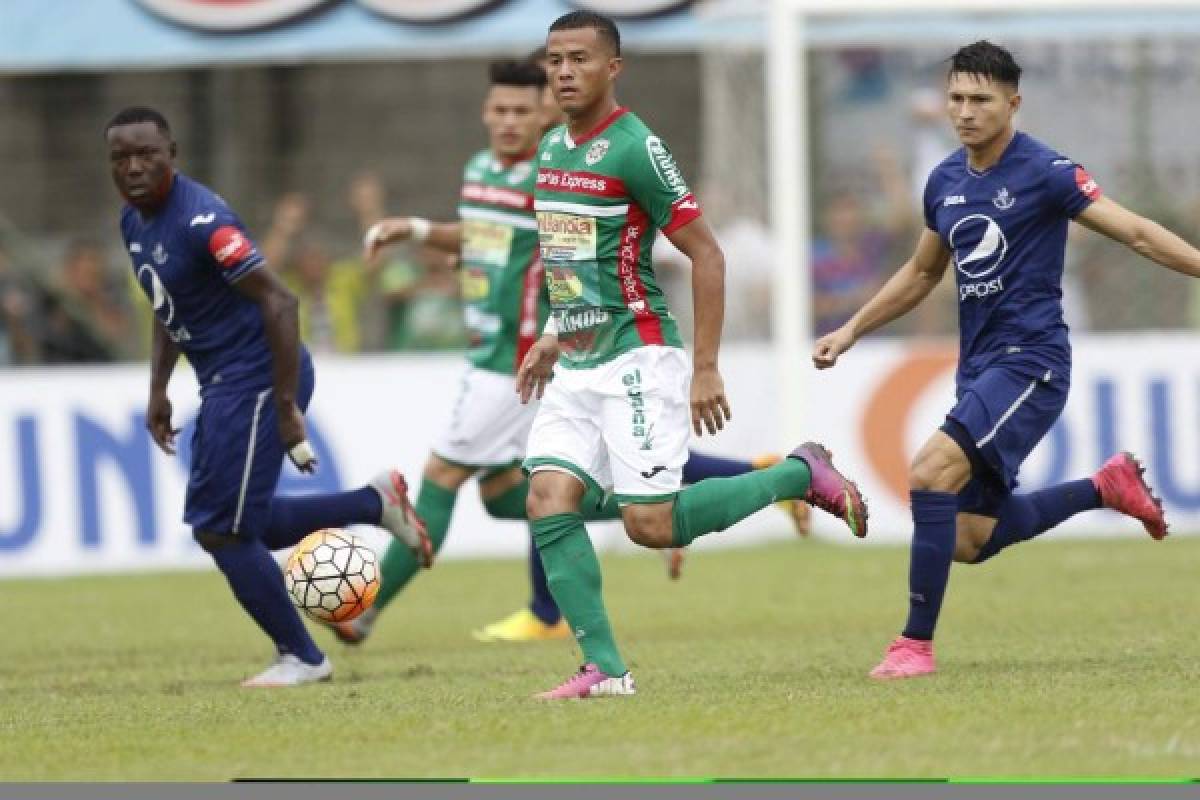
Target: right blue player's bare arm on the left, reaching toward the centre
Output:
{"points": [[903, 293]]}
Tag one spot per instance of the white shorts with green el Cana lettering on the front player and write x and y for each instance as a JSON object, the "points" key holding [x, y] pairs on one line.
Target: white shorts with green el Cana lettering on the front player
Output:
{"points": [[622, 426]]}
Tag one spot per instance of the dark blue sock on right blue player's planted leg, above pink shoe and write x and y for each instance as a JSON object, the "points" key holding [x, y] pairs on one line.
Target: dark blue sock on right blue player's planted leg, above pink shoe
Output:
{"points": [[933, 551]]}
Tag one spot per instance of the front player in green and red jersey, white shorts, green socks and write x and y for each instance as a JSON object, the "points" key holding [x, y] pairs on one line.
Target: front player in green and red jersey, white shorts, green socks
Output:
{"points": [[617, 413]]}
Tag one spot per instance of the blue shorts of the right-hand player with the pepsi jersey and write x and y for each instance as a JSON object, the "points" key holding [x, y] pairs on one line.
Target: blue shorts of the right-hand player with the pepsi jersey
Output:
{"points": [[1000, 418]]}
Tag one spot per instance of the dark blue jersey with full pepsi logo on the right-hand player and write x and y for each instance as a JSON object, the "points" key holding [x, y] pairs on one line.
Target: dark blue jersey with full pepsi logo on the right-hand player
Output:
{"points": [[1006, 230]]}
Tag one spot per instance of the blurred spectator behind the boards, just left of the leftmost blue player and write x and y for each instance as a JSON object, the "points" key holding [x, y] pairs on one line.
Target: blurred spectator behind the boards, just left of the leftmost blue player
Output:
{"points": [[85, 318]]}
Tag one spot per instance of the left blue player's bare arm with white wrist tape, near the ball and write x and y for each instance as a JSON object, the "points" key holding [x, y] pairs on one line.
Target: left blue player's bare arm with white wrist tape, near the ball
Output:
{"points": [[281, 323]]}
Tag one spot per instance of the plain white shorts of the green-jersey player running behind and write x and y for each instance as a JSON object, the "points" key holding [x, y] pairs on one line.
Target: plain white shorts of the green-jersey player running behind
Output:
{"points": [[489, 426]]}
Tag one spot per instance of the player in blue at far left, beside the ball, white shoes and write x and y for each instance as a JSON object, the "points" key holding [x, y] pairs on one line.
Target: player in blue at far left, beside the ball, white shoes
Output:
{"points": [[215, 303]]}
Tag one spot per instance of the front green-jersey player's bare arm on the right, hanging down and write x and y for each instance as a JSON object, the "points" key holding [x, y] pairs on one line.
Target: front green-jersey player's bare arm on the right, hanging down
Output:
{"points": [[710, 407]]}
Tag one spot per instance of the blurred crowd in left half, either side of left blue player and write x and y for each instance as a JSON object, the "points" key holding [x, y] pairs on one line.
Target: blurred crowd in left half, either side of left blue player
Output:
{"points": [[87, 309]]}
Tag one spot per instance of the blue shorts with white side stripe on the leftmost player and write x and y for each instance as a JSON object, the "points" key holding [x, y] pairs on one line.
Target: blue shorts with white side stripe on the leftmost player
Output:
{"points": [[237, 458]]}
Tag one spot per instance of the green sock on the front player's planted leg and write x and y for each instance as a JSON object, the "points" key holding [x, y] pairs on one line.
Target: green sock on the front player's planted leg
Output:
{"points": [[573, 574]]}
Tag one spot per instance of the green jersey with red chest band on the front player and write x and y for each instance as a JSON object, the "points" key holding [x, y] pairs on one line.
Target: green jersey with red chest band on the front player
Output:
{"points": [[601, 202]]}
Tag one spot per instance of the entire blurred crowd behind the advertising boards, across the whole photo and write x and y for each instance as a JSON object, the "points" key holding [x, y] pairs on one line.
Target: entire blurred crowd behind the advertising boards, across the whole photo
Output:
{"points": [[89, 309]]}
